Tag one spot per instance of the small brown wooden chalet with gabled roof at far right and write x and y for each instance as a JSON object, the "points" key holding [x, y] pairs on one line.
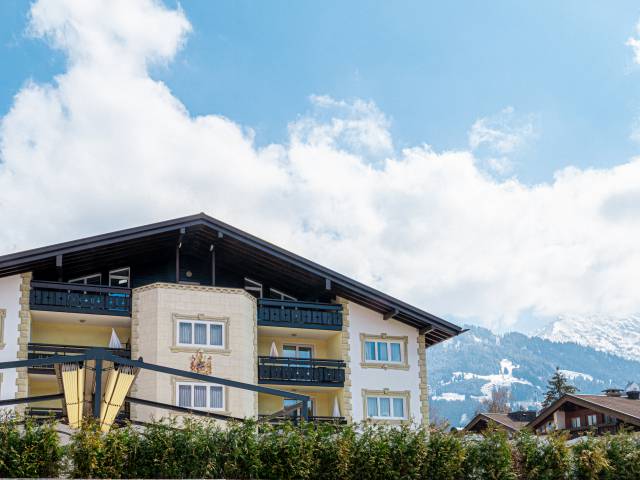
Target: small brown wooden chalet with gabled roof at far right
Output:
{"points": [[578, 414]]}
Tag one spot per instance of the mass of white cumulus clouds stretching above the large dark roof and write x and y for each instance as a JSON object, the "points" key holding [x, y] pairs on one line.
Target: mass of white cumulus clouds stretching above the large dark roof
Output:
{"points": [[105, 146]]}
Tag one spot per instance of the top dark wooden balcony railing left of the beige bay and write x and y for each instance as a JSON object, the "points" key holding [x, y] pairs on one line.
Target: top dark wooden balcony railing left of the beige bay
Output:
{"points": [[72, 297]]}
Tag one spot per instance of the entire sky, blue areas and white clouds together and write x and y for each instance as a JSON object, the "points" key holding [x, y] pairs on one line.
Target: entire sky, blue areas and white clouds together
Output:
{"points": [[305, 123]]}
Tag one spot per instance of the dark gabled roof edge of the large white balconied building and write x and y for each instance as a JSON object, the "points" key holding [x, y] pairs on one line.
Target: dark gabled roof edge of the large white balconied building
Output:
{"points": [[436, 328]]}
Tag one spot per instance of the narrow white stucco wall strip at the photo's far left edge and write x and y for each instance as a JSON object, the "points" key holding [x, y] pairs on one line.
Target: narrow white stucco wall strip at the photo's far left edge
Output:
{"points": [[9, 301]]}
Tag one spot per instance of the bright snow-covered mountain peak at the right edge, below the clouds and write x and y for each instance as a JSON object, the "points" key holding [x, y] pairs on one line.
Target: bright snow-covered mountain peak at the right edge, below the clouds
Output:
{"points": [[618, 336]]}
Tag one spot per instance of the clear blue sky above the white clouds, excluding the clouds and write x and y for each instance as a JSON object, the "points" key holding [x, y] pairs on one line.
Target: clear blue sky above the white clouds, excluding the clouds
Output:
{"points": [[432, 67]]}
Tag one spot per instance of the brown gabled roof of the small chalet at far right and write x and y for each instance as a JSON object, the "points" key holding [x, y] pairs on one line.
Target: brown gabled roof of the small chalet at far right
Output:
{"points": [[623, 408]]}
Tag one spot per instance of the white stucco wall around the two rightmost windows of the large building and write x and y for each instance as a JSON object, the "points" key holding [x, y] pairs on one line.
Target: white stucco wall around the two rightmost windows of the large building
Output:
{"points": [[363, 320]]}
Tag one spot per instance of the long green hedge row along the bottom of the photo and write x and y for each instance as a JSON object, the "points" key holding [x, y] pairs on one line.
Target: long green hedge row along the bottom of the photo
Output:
{"points": [[203, 450]]}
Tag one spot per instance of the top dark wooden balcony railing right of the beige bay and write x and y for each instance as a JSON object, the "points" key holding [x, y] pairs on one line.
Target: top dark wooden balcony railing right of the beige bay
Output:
{"points": [[285, 313]]}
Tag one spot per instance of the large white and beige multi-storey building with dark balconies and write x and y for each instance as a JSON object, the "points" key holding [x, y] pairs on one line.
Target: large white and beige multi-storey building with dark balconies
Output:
{"points": [[197, 294]]}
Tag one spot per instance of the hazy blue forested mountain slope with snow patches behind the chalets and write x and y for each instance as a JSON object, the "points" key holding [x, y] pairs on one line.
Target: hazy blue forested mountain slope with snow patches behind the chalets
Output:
{"points": [[463, 371]]}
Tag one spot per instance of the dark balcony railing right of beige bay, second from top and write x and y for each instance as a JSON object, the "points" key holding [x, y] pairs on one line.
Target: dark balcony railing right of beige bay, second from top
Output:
{"points": [[301, 371]]}
